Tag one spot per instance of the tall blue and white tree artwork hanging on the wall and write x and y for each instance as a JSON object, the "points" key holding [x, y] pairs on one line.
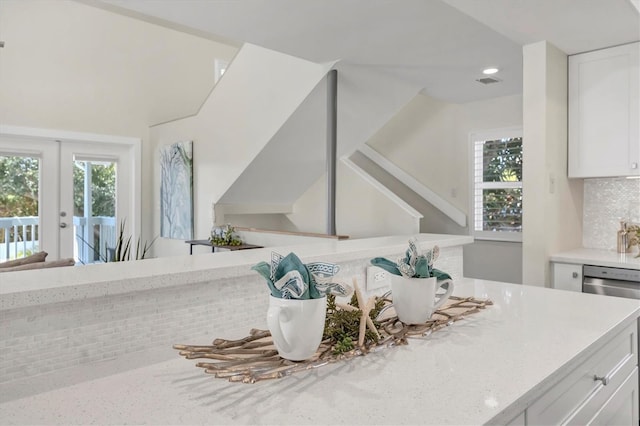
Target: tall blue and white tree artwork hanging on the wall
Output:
{"points": [[176, 191]]}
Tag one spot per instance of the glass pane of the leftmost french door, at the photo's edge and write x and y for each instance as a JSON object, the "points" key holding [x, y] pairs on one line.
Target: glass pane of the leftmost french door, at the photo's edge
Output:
{"points": [[19, 222]]}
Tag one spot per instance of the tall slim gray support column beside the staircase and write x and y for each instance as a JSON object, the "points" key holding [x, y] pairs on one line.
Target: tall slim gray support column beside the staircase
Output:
{"points": [[332, 120]]}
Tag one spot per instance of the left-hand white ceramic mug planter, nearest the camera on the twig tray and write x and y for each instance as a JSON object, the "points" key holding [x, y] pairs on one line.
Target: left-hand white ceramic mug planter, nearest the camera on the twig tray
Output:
{"points": [[296, 326]]}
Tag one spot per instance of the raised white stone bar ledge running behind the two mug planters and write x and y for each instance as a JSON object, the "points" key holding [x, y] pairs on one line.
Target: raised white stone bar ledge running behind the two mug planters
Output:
{"points": [[29, 288]]}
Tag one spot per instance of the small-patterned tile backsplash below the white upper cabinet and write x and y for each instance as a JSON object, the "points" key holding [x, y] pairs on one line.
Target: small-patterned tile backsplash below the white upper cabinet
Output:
{"points": [[606, 202]]}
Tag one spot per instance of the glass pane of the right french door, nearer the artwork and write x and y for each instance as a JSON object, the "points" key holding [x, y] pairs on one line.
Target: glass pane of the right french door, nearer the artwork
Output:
{"points": [[94, 199]]}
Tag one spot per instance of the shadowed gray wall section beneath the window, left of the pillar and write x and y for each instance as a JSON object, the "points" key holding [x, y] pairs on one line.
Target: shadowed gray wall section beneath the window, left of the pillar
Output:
{"points": [[493, 260]]}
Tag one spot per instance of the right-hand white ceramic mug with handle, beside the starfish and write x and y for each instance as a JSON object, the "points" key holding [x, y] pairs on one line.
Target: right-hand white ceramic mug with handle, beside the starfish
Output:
{"points": [[415, 299]]}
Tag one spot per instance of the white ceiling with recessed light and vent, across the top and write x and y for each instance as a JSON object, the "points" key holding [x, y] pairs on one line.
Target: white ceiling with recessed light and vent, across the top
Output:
{"points": [[441, 45]]}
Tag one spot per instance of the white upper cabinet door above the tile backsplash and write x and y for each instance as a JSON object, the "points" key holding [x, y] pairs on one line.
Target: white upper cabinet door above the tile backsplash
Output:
{"points": [[604, 110]]}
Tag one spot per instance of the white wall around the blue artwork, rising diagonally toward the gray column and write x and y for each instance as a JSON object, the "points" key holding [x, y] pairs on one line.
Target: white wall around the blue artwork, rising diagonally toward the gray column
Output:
{"points": [[257, 94]]}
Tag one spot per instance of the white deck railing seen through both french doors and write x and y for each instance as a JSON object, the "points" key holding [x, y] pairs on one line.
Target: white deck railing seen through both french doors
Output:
{"points": [[94, 238]]}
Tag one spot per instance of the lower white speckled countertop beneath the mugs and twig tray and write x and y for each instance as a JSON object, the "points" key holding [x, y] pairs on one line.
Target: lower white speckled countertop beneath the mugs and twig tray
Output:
{"points": [[486, 368]]}
